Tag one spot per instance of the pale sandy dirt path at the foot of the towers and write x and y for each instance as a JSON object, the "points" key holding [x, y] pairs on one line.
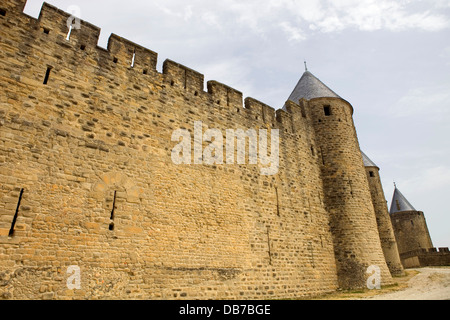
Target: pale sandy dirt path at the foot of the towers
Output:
{"points": [[429, 284]]}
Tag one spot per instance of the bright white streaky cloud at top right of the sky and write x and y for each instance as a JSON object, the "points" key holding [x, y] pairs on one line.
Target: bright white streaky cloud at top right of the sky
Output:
{"points": [[336, 15]]}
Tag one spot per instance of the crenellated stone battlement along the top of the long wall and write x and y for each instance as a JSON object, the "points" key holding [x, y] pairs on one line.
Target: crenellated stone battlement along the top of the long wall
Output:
{"points": [[123, 54]]}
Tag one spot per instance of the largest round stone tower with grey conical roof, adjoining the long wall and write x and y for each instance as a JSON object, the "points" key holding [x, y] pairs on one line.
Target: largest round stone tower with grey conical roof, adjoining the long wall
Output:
{"points": [[347, 197]]}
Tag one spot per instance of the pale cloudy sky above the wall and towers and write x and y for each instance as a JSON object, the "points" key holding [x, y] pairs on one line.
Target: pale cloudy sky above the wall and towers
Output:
{"points": [[389, 58]]}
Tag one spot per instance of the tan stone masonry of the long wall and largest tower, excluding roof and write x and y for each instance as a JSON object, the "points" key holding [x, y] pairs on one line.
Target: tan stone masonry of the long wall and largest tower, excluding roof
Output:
{"points": [[92, 152]]}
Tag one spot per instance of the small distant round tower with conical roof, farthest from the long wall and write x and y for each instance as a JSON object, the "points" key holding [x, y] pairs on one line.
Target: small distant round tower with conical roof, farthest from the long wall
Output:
{"points": [[410, 226]]}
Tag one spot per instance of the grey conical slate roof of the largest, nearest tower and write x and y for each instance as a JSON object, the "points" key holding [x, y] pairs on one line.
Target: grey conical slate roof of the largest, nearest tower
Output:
{"points": [[309, 87]]}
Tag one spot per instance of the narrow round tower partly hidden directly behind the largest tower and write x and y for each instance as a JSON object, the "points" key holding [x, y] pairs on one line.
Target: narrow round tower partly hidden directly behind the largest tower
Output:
{"points": [[385, 229]]}
